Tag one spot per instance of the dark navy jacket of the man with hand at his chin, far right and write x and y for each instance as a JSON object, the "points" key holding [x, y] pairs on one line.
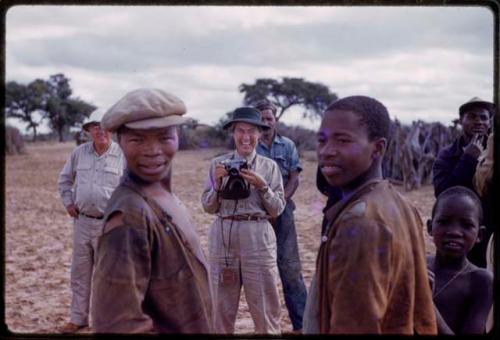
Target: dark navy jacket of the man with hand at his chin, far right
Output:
{"points": [[446, 174]]}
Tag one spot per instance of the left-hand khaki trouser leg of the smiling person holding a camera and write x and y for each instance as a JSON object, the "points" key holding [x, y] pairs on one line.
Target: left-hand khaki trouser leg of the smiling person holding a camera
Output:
{"points": [[226, 295]]}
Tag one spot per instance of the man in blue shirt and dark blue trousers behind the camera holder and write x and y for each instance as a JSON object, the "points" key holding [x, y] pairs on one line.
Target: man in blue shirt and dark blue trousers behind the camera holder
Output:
{"points": [[284, 152]]}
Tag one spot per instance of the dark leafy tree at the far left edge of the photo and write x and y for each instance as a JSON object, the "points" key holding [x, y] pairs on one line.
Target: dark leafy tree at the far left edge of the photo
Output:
{"points": [[23, 101]]}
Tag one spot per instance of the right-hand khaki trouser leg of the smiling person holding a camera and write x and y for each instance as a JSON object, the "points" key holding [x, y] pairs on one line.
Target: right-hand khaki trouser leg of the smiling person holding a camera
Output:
{"points": [[260, 278]]}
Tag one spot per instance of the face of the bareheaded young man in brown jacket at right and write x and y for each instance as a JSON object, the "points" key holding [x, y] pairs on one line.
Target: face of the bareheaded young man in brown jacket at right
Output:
{"points": [[344, 151]]}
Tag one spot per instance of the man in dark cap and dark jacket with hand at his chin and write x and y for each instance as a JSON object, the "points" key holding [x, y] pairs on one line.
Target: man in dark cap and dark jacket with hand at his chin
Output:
{"points": [[456, 164]]}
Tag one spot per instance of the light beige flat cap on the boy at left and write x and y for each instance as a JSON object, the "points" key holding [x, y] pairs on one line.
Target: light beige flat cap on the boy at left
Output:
{"points": [[145, 109]]}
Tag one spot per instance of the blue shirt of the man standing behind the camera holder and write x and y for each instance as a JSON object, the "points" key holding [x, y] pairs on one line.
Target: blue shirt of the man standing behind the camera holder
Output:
{"points": [[283, 152]]}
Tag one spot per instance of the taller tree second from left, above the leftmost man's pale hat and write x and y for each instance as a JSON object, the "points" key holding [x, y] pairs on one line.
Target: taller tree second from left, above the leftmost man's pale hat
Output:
{"points": [[62, 111]]}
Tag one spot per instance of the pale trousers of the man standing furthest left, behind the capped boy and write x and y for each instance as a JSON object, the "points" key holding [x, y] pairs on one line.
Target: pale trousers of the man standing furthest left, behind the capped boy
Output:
{"points": [[84, 244]]}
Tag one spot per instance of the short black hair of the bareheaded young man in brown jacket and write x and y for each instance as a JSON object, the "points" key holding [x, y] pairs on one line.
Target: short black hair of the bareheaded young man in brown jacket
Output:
{"points": [[372, 113]]}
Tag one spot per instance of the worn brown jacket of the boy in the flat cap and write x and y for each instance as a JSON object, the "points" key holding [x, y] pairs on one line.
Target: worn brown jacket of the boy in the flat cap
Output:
{"points": [[149, 276]]}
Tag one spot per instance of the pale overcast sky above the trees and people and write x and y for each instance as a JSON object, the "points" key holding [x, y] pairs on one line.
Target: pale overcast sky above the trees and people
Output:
{"points": [[420, 62]]}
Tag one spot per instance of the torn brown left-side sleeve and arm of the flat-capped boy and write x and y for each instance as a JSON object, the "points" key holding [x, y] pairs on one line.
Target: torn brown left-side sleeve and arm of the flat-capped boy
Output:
{"points": [[121, 278]]}
